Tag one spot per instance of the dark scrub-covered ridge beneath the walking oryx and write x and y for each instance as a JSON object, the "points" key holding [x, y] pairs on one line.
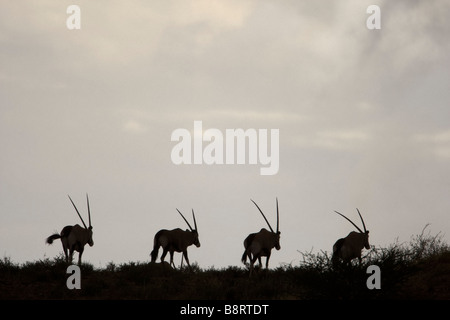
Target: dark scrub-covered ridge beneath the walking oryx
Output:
{"points": [[419, 269]]}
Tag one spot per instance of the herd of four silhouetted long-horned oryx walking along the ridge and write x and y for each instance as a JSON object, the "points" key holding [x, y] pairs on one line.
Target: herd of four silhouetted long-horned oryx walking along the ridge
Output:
{"points": [[256, 245]]}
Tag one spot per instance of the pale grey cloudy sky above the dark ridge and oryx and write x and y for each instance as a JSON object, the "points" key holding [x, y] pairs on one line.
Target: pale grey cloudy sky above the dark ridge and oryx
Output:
{"points": [[363, 118]]}
